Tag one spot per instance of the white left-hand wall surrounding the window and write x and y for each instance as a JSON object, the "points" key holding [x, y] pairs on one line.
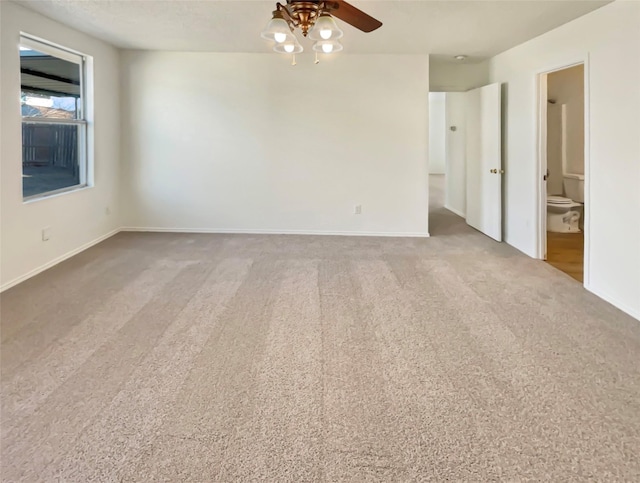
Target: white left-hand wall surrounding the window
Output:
{"points": [[78, 218]]}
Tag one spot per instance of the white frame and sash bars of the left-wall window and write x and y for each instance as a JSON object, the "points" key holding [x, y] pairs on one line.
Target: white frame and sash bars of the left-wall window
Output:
{"points": [[85, 107]]}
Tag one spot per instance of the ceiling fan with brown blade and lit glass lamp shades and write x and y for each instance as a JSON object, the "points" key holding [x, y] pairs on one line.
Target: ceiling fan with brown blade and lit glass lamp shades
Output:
{"points": [[315, 20]]}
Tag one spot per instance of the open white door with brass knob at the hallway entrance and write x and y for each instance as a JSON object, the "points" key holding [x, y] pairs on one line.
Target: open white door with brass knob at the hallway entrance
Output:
{"points": [[484, 160]]}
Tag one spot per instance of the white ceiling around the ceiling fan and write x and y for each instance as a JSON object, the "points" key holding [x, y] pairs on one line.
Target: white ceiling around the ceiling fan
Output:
{"points": [[479, 29]]}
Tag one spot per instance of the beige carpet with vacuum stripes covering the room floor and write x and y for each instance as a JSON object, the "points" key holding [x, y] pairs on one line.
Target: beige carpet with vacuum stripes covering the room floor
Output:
{"points": [[177, 357]]}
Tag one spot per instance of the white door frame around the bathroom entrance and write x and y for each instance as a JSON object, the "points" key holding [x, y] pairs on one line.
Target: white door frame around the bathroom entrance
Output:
{"points": [[541, 160]]}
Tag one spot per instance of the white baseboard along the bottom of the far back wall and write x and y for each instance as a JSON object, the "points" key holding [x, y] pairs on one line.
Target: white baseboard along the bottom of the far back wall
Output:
{"points": [[274, 232]]}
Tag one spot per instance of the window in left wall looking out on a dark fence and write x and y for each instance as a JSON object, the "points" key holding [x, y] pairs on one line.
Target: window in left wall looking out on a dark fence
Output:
{"points": [[54, 124]]}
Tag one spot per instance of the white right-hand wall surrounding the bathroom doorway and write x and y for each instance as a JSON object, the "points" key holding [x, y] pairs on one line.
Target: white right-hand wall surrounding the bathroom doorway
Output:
{"points": [[609, 38]]}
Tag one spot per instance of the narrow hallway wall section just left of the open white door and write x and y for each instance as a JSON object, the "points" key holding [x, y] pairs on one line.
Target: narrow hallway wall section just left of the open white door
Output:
{"points": [[456, 173]]}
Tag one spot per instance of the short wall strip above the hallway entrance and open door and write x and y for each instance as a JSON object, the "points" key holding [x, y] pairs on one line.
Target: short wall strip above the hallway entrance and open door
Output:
{"points": [[447, 76]]}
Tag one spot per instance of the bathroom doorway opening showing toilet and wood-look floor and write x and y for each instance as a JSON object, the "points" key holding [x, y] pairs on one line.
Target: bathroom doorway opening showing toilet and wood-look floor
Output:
{"points": [[562, 154]]}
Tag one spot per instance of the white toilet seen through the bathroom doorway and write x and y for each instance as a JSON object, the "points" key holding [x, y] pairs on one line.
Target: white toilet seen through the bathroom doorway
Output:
{"points": [[564, 213]]}
